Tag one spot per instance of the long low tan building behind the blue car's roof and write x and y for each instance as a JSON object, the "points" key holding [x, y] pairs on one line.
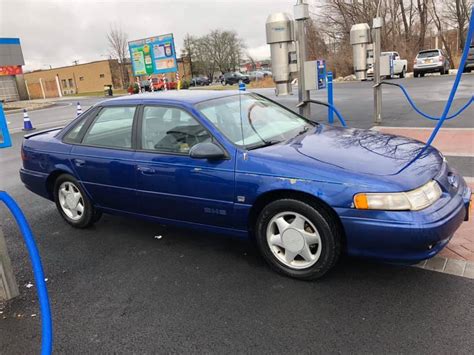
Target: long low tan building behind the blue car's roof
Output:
{"points": [[75, 79]]}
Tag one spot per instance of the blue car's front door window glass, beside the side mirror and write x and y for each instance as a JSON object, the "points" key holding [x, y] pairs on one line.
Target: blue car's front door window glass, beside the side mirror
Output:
{"points": [[172, 130]]}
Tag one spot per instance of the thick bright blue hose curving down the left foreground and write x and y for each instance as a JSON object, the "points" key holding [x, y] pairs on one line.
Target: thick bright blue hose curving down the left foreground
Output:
{"points": [[46, 322]]}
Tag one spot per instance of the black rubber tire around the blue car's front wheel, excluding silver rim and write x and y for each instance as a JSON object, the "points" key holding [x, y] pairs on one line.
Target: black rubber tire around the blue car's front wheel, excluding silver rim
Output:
{"points": [[330, 239]]}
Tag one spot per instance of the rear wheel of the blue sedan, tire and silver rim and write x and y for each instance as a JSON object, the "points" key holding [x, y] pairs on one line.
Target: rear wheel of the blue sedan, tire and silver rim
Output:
{"points": [[71, 186]]}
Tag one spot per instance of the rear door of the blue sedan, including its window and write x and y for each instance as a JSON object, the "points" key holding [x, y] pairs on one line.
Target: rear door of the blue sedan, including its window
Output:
{"points": [[103, 159]]}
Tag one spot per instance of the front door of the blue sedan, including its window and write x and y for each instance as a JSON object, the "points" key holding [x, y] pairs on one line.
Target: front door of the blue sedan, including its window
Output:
{"points": [[171, 184]]}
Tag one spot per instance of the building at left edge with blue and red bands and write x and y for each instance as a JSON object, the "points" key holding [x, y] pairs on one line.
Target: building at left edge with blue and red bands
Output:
{"points": [[12, 86]]}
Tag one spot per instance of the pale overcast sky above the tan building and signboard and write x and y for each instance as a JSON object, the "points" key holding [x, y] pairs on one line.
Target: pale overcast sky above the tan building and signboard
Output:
{"points": [[56, 32]]}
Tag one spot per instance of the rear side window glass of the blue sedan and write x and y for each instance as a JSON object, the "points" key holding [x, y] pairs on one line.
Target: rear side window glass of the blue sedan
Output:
{"points": [[111, 128]]}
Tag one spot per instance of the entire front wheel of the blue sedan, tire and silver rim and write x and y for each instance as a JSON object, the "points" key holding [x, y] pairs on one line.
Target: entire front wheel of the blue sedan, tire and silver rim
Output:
{"points": [[319, 229]]}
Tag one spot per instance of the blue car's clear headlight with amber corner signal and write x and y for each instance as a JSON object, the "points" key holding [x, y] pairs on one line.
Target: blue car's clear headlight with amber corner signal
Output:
{"points": [[413, 200]]}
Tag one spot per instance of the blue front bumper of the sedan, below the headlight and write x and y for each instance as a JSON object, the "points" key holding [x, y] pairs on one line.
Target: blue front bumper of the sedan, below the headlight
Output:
{"points": [[405, 236]]}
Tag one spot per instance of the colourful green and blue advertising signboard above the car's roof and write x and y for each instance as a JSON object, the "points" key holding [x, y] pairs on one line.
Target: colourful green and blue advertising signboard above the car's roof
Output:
{"points": [[154, 55]]}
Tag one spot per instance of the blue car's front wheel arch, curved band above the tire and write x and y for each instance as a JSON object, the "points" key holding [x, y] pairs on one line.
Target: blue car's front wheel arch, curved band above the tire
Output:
{"points": [[274, 195]]}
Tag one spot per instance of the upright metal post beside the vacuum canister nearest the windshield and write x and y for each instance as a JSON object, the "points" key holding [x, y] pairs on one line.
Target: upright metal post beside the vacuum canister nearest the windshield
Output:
{"points": [[301, 14]]}
